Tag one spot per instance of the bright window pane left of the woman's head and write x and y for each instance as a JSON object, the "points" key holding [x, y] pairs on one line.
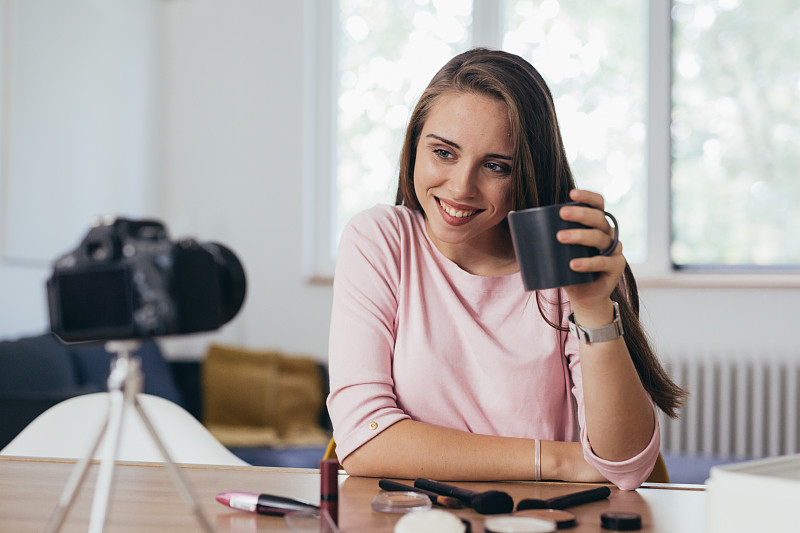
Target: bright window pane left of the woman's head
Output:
{"points": [[388, 52]]}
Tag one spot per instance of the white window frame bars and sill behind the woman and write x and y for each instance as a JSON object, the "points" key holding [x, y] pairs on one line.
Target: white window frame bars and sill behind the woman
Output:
{"points": [[320, 135]]}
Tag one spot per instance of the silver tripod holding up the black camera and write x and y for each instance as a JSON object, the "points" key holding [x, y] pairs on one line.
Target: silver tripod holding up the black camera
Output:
{"points": [[124, 385]]}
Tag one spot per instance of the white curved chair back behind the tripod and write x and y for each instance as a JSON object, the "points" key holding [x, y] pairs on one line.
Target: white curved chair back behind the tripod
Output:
{"points": [[67, 430]]}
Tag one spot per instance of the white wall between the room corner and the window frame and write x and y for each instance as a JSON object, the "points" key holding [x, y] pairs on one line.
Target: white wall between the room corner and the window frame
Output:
{"points": [[234, 157]]}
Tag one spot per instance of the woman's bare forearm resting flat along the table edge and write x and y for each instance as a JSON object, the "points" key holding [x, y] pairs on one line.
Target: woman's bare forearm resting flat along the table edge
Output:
{"points": [[411, 449]]}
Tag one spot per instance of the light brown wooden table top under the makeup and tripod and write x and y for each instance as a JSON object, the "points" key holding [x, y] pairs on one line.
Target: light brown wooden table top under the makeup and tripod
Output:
{"points": [[144, 499]]}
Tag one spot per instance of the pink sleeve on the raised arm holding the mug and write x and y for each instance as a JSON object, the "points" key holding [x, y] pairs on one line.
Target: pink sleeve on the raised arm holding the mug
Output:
{"points": [[628, 474]]}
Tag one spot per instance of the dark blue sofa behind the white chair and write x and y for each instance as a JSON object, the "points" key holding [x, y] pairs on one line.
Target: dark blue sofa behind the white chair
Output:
{"points": [[37, 372]]}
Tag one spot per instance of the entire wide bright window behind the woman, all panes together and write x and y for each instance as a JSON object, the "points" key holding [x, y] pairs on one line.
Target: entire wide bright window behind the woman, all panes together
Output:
{"points": [[608, 66]]}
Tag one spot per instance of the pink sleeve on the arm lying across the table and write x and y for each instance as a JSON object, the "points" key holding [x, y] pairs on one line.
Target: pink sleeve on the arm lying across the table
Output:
{"points": [[362, 402]]}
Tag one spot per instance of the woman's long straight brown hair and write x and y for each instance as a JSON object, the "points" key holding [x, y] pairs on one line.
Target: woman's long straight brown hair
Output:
{"points": [[540, 176]]}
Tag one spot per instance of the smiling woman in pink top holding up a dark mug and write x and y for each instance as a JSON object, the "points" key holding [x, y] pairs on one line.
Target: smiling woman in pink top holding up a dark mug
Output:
{"points": [[441, 365]]}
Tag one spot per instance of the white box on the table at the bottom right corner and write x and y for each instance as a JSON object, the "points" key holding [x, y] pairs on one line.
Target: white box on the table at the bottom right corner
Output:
{"points": [[754, 496]]}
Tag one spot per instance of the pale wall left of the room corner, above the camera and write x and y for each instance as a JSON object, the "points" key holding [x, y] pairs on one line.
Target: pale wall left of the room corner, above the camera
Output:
{"points": [[78, 103]]}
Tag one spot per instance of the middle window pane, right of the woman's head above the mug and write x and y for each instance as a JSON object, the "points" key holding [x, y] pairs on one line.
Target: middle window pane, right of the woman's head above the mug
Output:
{"points": [[593, 57]]}
